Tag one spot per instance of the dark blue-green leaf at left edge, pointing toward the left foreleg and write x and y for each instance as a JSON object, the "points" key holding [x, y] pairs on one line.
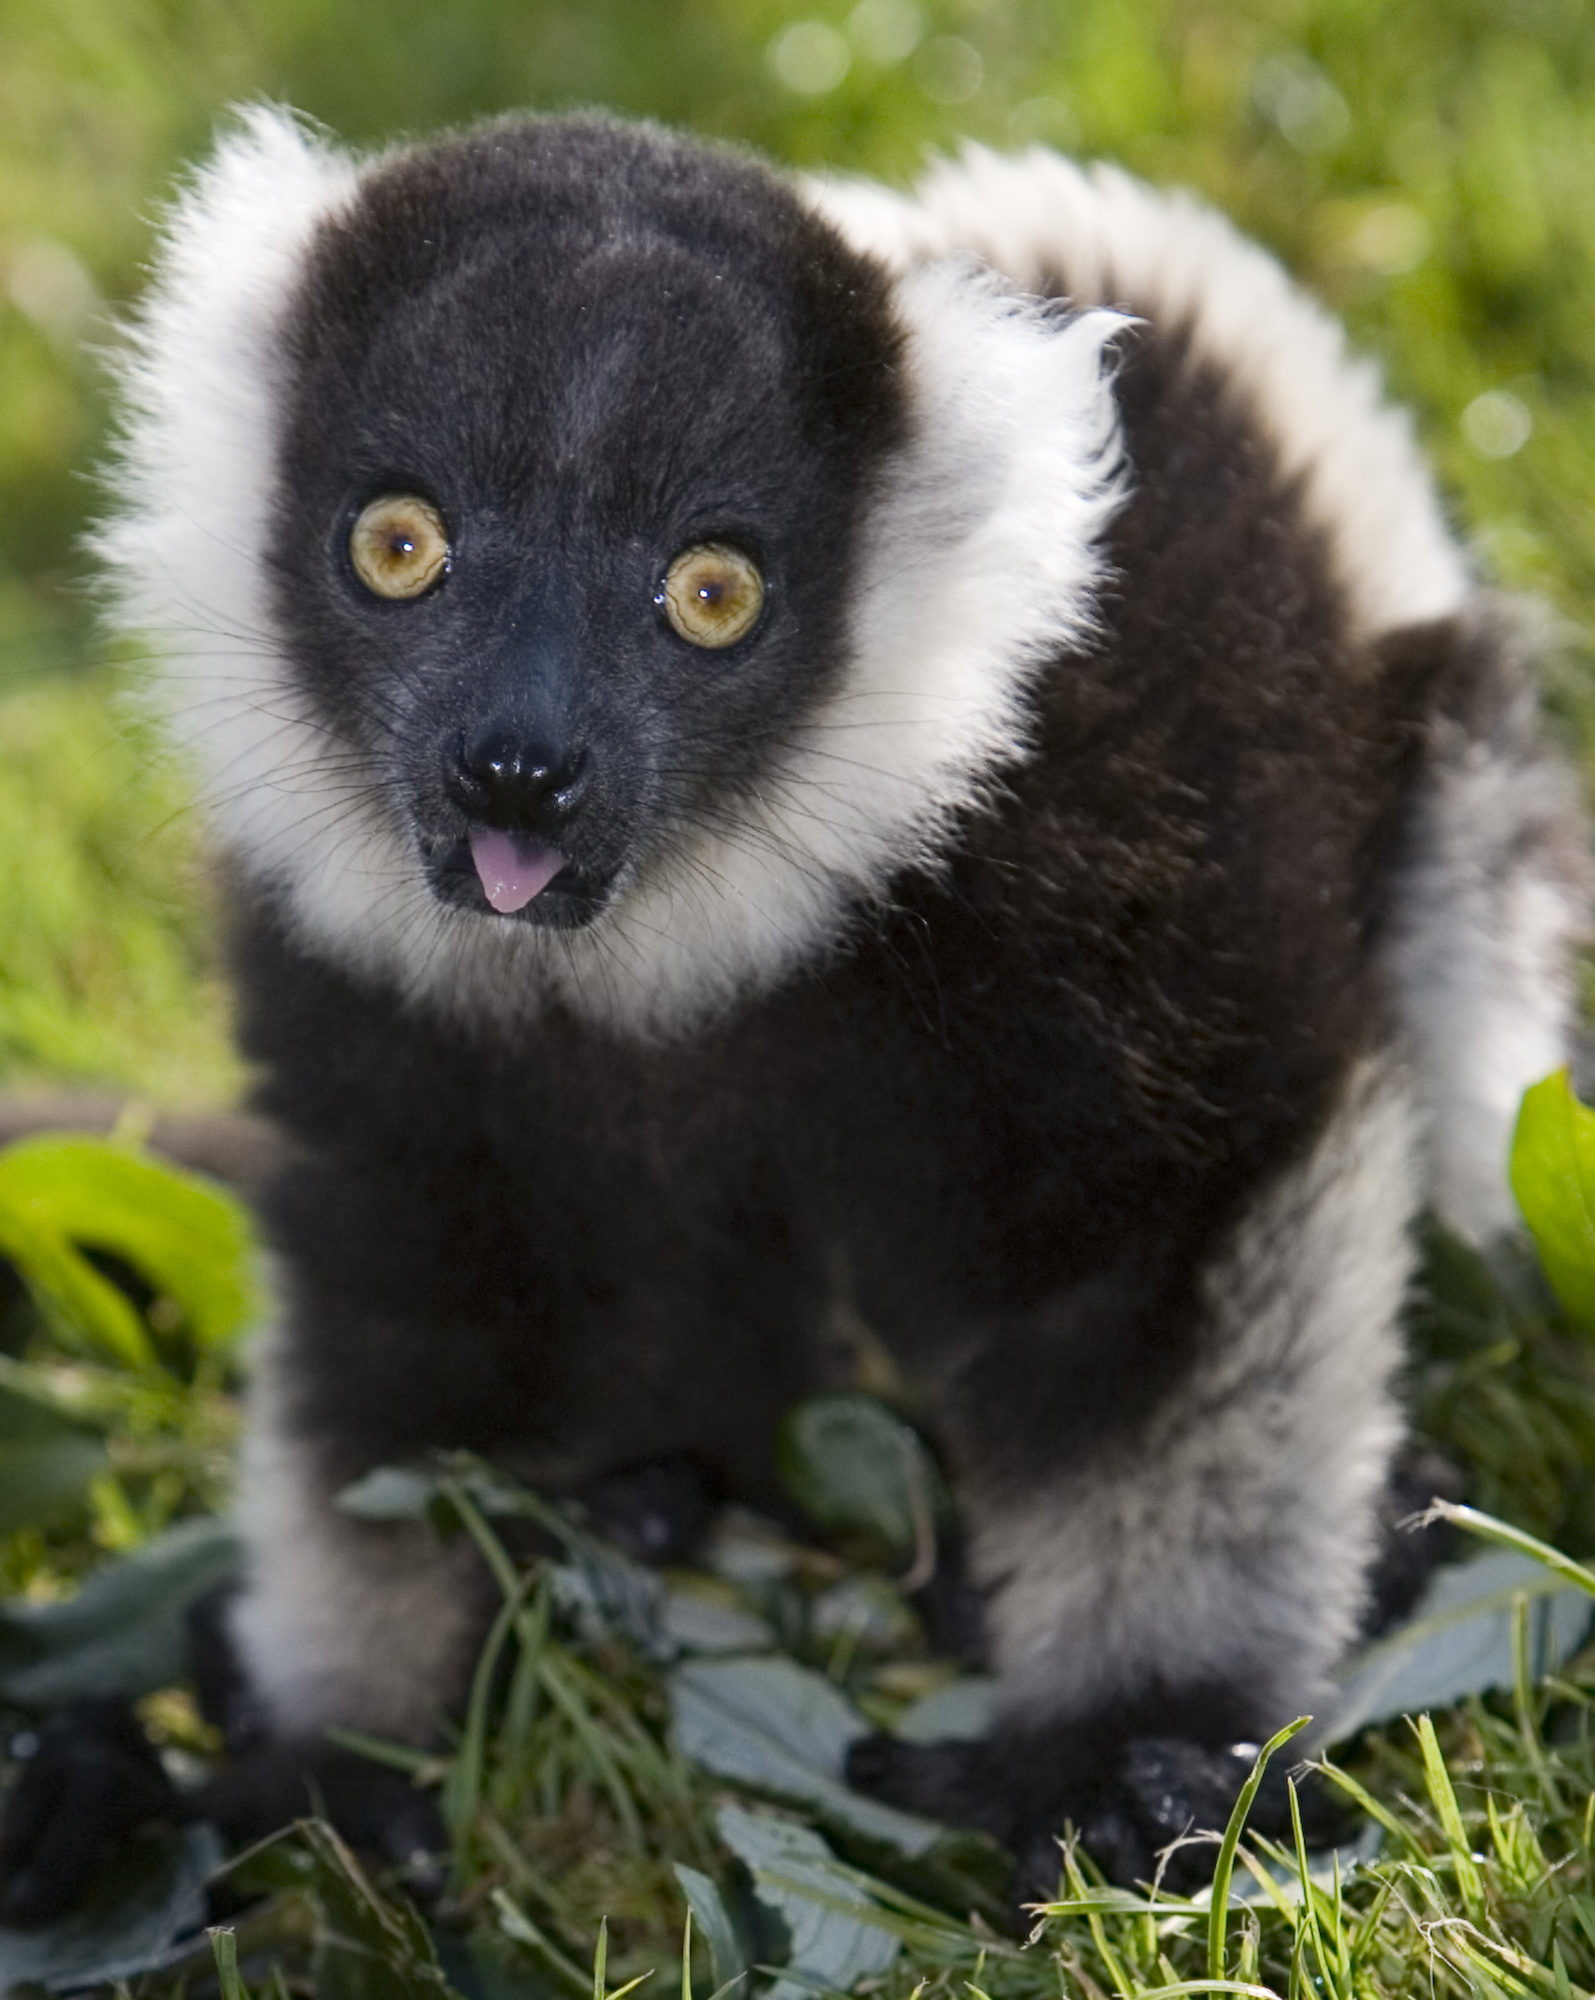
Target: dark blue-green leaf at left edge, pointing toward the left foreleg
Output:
{"points": [[125, 1631]]}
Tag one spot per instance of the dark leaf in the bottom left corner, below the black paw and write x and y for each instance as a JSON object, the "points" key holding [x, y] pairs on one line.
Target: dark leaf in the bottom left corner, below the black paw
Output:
{"points": [[147, 1913]]}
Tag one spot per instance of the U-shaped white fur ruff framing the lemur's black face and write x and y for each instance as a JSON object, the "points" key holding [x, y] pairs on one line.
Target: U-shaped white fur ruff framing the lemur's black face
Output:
{"points": [[980, 557]]}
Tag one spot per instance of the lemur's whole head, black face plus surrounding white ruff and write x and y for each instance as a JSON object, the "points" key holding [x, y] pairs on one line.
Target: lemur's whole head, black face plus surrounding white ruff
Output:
{"points": [[579, 563]]}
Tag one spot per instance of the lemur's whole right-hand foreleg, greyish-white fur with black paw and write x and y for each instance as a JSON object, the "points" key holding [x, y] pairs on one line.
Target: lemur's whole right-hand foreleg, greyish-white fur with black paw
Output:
{"points": [[1192, 1585]]}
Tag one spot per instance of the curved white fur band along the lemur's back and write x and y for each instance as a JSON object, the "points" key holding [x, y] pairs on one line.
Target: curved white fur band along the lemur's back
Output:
{"points": [[1166, 257]]}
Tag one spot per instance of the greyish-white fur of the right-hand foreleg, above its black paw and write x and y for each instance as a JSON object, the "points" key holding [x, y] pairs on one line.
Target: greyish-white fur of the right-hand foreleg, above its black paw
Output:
{"points": [[1228, 1543]]}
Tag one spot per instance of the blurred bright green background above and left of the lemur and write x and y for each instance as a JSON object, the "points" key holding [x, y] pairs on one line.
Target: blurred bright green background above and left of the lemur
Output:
{"points": [[1430, 169]]}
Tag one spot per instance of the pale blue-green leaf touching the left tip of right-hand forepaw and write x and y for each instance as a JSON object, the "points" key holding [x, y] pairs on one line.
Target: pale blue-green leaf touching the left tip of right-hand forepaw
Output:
{"points": [[783, 1729]]}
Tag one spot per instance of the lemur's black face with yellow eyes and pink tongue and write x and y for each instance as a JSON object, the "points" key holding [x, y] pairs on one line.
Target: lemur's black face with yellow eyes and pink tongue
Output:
{"points": [[567, 501]]}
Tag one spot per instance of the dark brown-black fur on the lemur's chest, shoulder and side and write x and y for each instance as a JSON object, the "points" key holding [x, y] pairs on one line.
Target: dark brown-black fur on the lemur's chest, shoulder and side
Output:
{"points": [[1028, 1099]]}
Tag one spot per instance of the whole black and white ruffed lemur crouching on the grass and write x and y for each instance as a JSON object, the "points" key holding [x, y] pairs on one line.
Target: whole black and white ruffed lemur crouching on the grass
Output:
{"points": [[789, 753]]}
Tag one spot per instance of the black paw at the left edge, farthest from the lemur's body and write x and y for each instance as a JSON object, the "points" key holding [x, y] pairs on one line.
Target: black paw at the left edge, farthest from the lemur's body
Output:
{"points": [[87, 1781]]}
